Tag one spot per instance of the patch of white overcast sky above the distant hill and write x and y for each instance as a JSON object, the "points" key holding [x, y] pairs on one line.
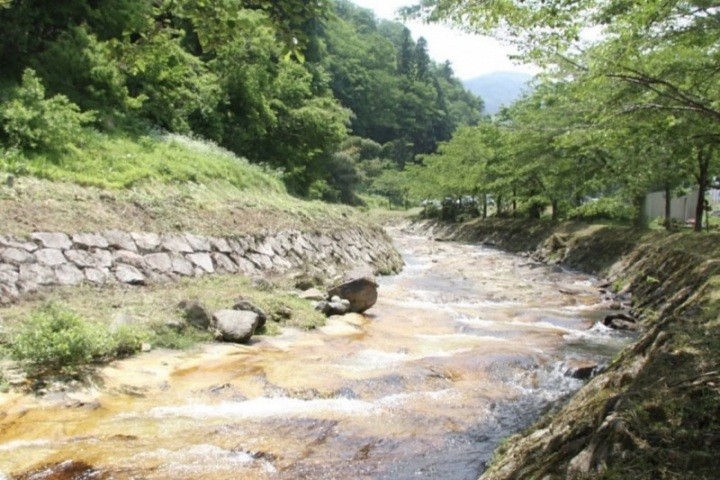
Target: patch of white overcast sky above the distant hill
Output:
{"points": [[470, 55]]}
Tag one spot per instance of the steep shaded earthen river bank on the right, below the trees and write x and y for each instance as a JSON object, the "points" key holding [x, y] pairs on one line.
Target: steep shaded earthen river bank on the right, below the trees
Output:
{"points": [[653, 413]]}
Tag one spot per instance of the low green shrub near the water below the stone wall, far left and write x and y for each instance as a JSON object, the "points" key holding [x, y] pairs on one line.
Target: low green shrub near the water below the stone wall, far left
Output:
{"points": [[55, 339]]}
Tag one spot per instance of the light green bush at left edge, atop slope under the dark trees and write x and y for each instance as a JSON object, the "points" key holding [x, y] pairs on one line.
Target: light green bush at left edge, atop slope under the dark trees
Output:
{"points": [[31, 121]]}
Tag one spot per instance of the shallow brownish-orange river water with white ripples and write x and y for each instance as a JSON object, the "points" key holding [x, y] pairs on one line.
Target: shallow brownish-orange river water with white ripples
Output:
{"points": [[464, 347]]}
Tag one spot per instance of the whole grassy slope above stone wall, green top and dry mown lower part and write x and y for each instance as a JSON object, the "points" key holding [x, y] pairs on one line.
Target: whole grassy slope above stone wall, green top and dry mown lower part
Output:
{"points": [[153, 183]]}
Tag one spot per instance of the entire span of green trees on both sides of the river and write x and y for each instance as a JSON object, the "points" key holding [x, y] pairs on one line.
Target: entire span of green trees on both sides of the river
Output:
{"points": [[344, 107]]}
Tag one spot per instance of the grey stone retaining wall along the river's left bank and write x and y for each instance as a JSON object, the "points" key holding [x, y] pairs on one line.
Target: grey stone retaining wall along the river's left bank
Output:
{"points": [[46, 259]]}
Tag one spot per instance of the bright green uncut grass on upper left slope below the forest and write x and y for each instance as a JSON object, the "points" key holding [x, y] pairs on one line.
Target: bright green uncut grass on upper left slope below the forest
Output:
{"points": [[117, 162]]}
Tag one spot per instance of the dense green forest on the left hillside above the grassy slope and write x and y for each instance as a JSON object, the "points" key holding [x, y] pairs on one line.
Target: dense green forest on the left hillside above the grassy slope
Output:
{"points": [[333, 99]]}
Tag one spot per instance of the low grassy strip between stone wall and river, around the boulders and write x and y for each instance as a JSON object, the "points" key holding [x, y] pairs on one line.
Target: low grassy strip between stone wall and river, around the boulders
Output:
{"points": [[68, 329]]}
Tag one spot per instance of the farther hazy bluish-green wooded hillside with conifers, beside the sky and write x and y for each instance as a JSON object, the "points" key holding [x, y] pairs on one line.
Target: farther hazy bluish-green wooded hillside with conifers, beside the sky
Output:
{"points": [[396, 92]]}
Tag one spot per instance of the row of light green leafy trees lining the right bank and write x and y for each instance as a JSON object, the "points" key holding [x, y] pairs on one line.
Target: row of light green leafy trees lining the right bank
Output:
{"points": [[629, 103]]}
